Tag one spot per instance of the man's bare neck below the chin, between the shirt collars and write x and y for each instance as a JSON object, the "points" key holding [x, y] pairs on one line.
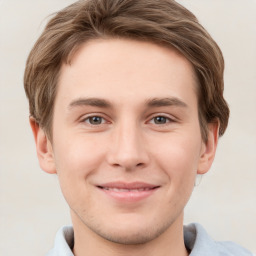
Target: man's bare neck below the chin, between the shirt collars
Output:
{"points": [[89, 243]]}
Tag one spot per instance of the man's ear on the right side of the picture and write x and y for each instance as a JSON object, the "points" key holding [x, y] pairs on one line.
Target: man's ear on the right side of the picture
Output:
{"points": [[208, 149]]}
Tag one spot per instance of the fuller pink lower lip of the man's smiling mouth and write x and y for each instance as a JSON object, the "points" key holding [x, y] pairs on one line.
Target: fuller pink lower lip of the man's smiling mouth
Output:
{"points": [[129, 196]]}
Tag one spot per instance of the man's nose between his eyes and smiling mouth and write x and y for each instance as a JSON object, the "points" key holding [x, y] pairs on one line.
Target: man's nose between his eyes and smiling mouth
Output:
{"points": [[128, 149]]}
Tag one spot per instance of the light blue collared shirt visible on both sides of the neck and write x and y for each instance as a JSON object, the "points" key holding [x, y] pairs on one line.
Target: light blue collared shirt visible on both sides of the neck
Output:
{"points": [[196, 240]]}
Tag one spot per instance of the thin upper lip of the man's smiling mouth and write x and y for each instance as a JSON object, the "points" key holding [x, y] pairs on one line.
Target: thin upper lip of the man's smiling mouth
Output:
{"points": [[128, 185]]}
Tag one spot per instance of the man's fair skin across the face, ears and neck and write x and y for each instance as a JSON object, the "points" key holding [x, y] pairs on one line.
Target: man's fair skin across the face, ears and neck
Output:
{"points": [[145, 129]]}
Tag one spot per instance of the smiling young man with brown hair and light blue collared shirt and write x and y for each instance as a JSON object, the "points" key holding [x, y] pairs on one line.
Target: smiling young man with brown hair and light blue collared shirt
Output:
{"points": [[126, 103]]}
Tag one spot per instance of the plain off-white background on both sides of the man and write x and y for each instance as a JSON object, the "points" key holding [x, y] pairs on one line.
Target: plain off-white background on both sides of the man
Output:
{"points": [[31, 205]]}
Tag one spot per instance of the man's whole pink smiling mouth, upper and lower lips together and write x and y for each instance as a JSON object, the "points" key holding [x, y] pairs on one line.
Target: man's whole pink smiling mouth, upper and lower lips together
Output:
{"points": [[128, 192]]}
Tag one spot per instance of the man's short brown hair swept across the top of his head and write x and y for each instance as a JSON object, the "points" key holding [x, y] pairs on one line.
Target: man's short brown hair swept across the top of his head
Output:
{"points": [[159, 21]]}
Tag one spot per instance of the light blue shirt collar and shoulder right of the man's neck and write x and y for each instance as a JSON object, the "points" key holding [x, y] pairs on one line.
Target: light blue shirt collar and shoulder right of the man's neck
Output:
{"points": [[200, 243]]}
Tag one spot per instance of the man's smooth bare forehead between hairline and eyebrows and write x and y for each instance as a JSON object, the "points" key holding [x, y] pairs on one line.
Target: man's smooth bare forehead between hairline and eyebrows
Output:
{"points": [[117, 68]]}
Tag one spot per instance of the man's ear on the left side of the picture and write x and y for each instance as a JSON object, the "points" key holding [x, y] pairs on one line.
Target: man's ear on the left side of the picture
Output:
{"points": [[43, 148]]}
